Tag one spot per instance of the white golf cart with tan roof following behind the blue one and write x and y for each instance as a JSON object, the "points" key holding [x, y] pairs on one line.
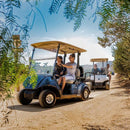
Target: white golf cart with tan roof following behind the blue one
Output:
{"points": [[100, 79]]}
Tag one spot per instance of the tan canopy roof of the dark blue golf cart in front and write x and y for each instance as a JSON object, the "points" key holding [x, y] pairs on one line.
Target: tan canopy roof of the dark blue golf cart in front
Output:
{"points": [[65, 48]]}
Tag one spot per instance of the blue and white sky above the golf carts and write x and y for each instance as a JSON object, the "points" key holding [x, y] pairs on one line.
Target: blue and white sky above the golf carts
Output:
{"points": [[58, 28]]}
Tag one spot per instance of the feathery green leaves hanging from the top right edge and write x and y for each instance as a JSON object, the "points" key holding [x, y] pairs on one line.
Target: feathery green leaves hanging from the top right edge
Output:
{"points": [[76, 10]]}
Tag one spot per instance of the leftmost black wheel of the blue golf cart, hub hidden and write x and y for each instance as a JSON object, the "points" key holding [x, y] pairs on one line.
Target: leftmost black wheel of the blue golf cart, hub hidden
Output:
{"points": [[21, 99]]}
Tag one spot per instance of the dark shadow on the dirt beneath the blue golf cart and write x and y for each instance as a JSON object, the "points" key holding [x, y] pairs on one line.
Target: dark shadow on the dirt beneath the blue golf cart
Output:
{"points": [[35, 106]]}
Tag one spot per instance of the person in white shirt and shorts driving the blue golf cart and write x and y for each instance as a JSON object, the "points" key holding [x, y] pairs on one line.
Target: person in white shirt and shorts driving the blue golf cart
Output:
{"points": [[71, 70]]}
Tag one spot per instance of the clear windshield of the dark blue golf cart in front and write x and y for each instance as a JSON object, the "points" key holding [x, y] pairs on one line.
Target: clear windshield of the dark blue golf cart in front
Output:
{"points": [[43, 61]]}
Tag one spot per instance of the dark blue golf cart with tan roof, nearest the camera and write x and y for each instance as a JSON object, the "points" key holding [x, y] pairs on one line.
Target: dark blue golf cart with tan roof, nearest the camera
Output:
{"points": [[47, 89]]}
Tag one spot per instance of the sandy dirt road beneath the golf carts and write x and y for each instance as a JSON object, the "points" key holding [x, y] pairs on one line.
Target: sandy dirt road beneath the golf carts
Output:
{"points": [[105, 110]]}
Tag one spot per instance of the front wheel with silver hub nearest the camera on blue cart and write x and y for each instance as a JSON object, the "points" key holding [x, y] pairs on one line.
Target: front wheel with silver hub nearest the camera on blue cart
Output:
{"points": [[47, 98]]}
